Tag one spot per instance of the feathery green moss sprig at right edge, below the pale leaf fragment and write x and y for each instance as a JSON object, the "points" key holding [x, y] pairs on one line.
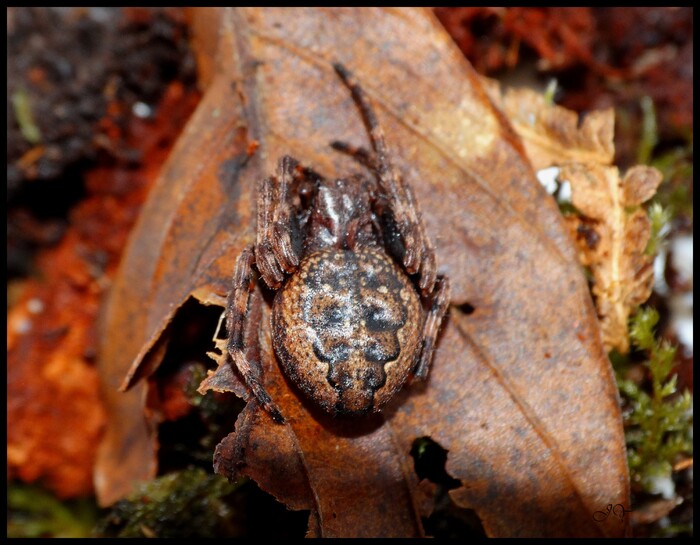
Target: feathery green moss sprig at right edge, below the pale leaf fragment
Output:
{"points": [[658, 424]]}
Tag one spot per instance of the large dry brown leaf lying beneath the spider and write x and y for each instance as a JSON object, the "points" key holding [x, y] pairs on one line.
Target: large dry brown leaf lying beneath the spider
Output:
{"points": [[520, 392]]}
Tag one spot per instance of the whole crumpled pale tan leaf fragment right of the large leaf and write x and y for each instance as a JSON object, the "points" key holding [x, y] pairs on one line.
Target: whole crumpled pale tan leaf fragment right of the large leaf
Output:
{"points": [[611, 229]]}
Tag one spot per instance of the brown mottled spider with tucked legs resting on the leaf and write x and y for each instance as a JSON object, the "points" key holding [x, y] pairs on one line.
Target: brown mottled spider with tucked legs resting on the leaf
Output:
{"points": [[358, 302]]}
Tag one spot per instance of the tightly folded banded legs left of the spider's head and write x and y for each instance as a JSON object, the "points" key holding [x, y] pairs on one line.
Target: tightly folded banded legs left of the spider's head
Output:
{"points": [[274, 251]]}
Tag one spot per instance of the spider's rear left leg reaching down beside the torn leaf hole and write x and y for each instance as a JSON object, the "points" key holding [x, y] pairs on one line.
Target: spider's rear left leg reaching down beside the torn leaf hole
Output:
{"points": [[236, 312]]}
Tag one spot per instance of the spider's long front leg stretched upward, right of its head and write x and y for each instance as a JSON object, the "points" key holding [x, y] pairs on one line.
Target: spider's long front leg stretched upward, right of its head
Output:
{"points": [[415, 251]]}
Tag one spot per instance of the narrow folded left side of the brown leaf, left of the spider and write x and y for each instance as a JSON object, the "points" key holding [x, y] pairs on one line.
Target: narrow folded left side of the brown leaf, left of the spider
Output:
{"points": [[185, 240]]}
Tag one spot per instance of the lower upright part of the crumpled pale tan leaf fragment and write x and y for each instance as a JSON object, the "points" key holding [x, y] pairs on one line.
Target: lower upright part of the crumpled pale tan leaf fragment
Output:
{"points": [[612, 236]]}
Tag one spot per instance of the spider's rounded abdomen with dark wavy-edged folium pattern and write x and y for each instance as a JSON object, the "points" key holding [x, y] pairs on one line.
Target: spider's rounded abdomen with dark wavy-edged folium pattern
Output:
{"points": [[347, 328]]}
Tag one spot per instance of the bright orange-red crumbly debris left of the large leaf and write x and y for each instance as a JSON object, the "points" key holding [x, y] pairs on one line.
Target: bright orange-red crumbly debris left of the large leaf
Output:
{"points": [[54, 405]]}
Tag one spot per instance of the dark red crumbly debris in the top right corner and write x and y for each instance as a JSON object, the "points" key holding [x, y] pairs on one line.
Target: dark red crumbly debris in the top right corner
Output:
{"points": [[601, 56]]}
